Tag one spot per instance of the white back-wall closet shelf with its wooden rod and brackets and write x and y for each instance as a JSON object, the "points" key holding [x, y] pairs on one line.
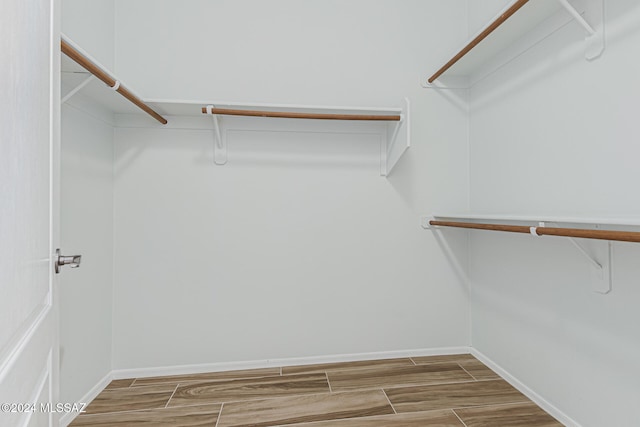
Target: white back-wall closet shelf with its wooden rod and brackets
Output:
{"points": [[392, 121]]}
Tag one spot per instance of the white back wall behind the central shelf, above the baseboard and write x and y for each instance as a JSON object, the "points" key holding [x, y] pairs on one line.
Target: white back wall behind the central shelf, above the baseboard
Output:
{"points": [[279, 255]]}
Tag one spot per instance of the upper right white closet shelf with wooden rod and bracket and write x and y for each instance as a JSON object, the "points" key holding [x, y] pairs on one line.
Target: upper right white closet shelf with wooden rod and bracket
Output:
{"points": [[520, 25]]}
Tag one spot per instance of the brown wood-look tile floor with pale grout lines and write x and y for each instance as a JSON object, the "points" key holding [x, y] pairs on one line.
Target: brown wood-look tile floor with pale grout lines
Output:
{"points": [[443, 391]]}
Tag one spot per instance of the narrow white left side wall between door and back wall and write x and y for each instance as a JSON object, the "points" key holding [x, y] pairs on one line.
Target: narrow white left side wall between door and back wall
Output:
{"points": [[87, 213]]}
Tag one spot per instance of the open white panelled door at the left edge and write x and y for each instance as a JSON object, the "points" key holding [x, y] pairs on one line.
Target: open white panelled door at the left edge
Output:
{"points": [[29, 146]]}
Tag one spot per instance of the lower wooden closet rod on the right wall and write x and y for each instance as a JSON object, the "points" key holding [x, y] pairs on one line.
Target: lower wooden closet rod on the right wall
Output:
{"points": [[620, 236]]}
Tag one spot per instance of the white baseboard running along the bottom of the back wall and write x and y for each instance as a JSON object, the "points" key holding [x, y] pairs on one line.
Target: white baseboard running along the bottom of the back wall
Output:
{"points": [[270, 363]]}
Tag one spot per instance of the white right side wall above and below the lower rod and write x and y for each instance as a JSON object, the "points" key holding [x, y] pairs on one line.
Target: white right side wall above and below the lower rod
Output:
{"points": [[553, 134]]}
